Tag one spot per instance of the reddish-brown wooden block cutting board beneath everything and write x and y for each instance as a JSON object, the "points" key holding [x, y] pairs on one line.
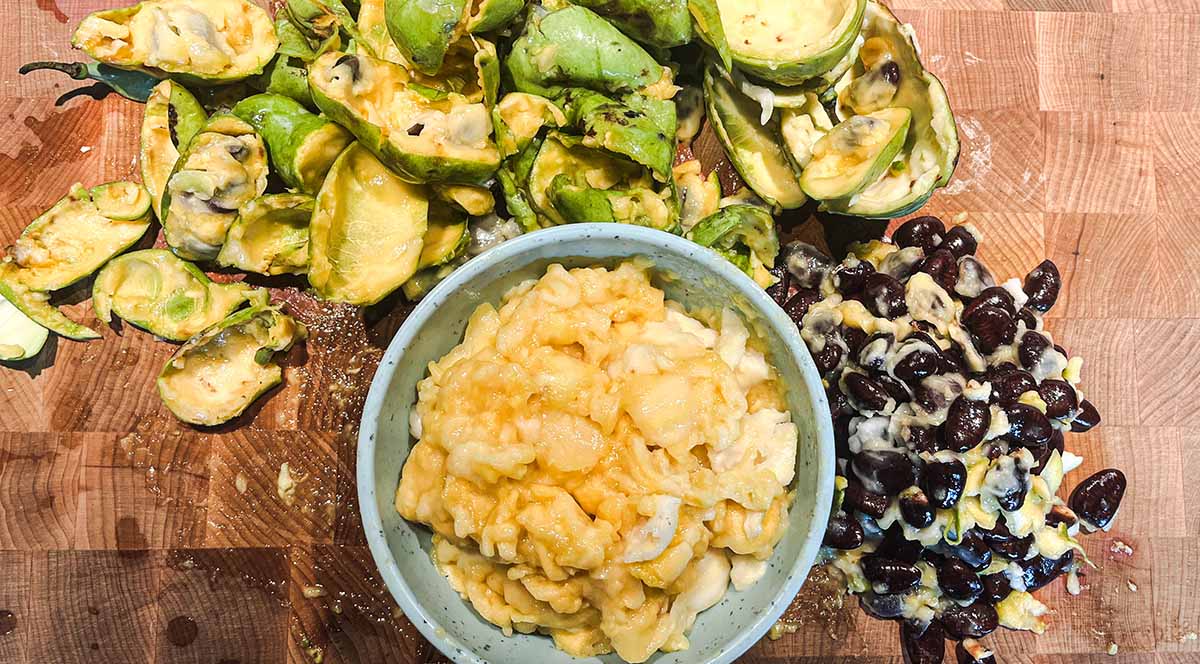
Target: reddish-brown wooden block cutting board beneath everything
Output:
{"points": [[128, 539]]}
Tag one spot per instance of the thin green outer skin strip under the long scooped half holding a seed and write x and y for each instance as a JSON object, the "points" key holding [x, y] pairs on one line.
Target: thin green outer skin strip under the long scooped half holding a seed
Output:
{"points": [[409, 166]]}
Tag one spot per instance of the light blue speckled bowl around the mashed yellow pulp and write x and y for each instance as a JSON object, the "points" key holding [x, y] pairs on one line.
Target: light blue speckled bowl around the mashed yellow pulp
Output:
{"points": [[689, 274]]}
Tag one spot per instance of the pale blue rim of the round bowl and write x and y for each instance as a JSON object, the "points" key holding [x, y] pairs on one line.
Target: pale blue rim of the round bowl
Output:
{"points": [[373, 522]]}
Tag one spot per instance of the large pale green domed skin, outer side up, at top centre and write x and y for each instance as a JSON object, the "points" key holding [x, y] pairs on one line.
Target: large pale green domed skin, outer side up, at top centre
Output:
{"points": [[589, 53]]}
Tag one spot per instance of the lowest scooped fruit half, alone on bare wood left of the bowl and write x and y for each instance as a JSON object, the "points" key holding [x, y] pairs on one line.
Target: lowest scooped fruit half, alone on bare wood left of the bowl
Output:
{"points": [[220, 373]]}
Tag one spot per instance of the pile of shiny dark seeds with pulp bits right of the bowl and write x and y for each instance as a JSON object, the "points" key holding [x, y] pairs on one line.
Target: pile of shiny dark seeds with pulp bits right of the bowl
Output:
{"points": [[933, 370]]}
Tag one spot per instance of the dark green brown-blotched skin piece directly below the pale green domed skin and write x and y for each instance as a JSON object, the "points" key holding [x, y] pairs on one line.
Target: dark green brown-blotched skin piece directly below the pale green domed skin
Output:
{"points": [[620, 129]]}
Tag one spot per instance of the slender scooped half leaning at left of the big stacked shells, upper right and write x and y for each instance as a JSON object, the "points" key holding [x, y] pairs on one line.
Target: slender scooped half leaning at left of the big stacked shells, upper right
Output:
{"points": [[754, 147]]}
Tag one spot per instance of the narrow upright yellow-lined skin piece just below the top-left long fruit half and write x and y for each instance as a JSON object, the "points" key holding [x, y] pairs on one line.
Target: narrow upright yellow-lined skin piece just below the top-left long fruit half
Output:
{"points": [[172, 118]]}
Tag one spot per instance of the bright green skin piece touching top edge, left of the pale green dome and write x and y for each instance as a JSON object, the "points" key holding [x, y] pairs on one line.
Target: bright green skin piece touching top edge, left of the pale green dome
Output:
{"points": [[424, 29]]}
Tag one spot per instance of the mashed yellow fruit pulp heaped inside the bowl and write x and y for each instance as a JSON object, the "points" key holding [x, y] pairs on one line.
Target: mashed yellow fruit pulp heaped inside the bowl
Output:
{"points": [[597, 465]]}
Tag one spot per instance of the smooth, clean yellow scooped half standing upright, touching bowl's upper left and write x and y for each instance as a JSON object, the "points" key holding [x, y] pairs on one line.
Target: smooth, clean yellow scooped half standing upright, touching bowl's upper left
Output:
{"points": [[368, 231]]}
